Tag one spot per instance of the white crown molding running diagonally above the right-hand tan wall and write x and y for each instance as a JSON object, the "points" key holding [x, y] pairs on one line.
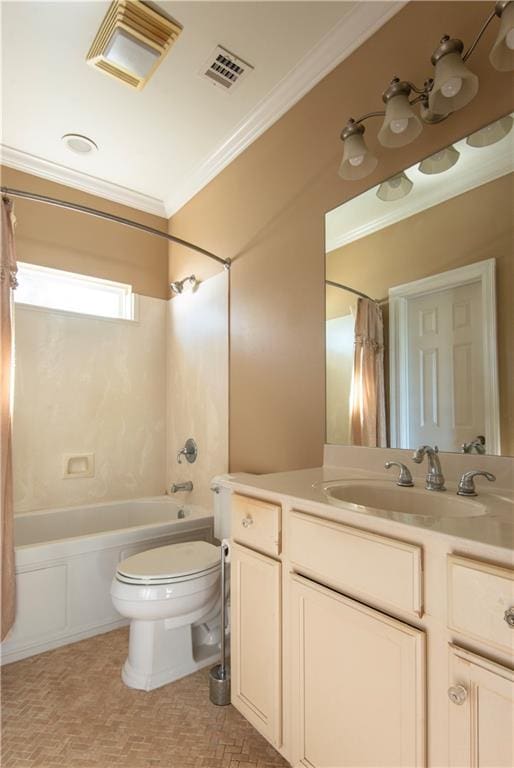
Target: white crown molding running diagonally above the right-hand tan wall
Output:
{"points": [[345, 37]]}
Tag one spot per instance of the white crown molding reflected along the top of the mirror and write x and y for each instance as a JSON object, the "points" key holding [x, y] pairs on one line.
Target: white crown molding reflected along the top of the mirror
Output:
{"points": [[469, 178]]}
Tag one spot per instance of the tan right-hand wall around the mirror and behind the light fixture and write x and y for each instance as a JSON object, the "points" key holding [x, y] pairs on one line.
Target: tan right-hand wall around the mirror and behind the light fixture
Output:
{"points": [[266, 211]]}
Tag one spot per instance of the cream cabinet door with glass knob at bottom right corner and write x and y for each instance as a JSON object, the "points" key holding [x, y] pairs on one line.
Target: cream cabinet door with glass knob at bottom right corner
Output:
{"points": [[480, 712]]}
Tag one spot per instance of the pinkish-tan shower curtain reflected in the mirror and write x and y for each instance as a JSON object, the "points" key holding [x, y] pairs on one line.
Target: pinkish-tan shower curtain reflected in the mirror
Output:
{"points": [[367, 398]]}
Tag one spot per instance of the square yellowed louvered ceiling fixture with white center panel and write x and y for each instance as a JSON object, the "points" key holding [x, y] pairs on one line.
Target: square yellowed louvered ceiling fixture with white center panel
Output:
{"points": [[132, 41]]}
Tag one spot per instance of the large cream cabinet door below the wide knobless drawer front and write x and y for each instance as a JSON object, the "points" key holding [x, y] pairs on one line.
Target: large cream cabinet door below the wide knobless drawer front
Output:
{"points": [[358, 683]]}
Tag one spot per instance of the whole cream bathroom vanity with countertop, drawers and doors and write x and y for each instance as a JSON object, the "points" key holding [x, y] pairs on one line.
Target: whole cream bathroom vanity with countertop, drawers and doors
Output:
{"points": [[364, 636]]}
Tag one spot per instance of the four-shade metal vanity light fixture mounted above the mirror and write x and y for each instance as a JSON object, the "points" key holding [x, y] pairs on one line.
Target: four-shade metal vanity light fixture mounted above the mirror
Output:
{"points": [[452, 86]]}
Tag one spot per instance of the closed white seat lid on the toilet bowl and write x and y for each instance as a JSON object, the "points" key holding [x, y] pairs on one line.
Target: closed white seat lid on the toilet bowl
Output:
{"points": [[174, 560]]}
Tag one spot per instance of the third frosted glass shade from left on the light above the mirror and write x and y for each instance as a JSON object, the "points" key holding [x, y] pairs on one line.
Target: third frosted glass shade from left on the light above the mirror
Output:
{"points": [[454, 85]]}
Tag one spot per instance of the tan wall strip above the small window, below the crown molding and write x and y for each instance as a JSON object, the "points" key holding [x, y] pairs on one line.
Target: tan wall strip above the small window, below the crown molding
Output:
{"points": [[54, 237]]}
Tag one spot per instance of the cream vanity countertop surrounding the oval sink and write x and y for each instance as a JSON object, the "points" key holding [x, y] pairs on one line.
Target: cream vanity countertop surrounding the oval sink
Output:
{"points": [[496, 528]]}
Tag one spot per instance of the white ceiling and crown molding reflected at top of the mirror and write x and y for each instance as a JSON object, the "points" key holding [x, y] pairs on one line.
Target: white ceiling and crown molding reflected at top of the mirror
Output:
{"points": [[366, 213]]}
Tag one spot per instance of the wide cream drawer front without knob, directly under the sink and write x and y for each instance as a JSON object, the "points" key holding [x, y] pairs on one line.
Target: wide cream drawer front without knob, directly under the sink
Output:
{"points": [[362, 564]]}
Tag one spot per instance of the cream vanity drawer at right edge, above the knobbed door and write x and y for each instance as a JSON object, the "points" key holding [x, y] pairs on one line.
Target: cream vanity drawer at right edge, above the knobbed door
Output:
{"points": [[480, 601]]}
